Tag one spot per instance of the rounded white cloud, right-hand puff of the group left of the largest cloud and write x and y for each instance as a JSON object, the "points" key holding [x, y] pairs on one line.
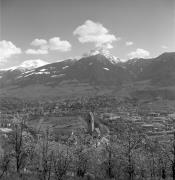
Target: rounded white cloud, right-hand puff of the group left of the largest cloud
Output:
{"points": [[57, 44]]}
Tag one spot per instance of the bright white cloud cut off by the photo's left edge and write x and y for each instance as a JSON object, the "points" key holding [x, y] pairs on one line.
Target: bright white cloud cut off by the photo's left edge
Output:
{"points": [[7, 49]]}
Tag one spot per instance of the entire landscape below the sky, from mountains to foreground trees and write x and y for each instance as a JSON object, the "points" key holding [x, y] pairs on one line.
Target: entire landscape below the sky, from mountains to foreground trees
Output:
{"points": [[102, 112]]}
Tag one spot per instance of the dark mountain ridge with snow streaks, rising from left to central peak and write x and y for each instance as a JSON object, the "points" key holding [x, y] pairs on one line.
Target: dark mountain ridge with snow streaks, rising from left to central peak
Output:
{"points": [[95, 69]]}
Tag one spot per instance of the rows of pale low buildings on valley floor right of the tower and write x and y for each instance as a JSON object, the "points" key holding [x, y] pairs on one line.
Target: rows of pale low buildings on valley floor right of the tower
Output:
{"points": [[153, 123]]}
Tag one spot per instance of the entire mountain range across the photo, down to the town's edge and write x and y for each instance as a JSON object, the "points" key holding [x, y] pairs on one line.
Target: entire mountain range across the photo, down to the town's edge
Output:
{"points": [[95, 71]]}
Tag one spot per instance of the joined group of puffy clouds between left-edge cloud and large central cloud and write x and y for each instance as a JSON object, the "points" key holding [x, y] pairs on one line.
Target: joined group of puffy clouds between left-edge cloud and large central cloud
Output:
{"points": [[44, 46]]}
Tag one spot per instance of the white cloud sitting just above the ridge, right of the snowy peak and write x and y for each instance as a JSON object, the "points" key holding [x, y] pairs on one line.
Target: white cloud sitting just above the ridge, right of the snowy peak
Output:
{"points": [[139, 53]]}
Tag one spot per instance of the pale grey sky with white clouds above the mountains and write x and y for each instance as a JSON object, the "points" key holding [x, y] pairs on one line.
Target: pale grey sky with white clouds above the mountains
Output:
{"points": [[53, 30]]}
